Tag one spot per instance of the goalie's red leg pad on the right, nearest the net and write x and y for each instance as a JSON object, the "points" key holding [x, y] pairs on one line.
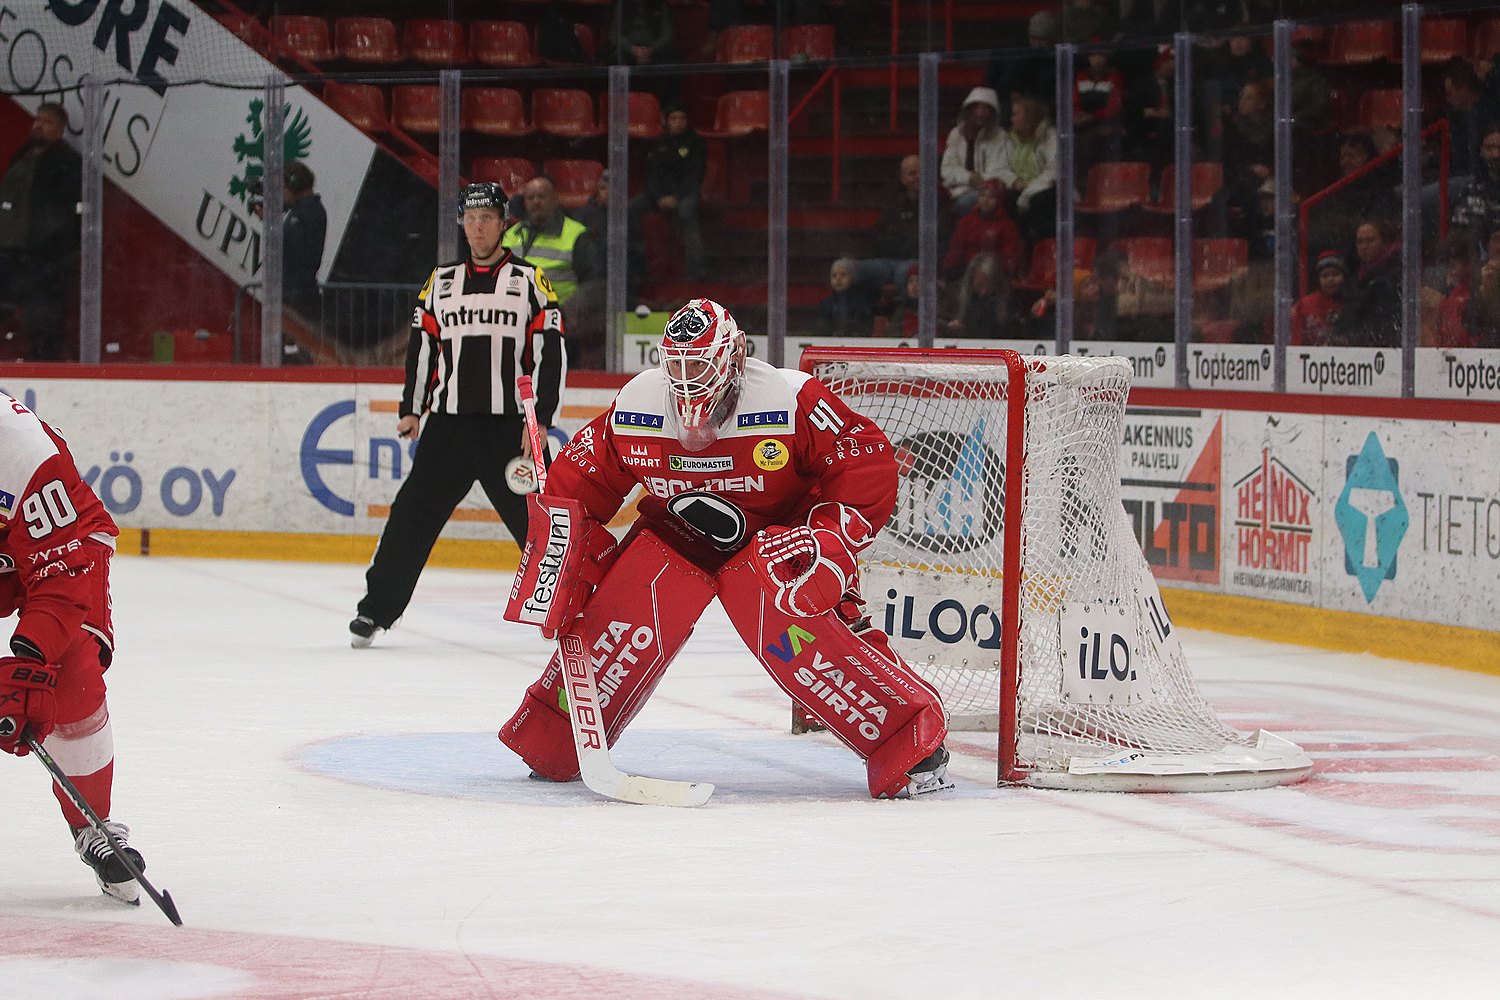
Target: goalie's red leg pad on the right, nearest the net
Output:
{"points": [[854, 686]]}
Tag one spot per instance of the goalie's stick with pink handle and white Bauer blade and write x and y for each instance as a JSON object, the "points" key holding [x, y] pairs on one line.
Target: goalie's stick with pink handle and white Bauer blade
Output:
{"points": [[599, 771]]}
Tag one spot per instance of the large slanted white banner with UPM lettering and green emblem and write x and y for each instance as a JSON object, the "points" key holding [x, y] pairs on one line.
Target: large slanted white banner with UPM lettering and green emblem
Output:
{"points": [[184, 152]]}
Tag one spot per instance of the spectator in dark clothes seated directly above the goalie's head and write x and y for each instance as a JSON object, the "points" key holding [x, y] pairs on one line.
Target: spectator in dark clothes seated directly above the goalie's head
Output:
{"points": [[674, 181]]}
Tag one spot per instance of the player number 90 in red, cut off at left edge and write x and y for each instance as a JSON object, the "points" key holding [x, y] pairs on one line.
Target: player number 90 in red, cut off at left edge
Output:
{"points": [[56, 540]]}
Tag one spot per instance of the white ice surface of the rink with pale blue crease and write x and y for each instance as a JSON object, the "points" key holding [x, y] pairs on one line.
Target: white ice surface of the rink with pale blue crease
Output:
{"points": [[343, 824]]}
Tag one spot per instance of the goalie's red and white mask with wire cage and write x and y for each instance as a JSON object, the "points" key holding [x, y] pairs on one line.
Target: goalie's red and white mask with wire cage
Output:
{"points": [[703, 358]]}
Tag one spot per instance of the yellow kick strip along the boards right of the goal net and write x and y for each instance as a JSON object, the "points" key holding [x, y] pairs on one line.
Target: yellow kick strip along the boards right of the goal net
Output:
{"points": [[1348, 632]]}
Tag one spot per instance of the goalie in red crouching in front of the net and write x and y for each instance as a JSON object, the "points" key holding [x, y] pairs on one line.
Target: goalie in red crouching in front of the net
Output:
{"points": [[761, 490]]}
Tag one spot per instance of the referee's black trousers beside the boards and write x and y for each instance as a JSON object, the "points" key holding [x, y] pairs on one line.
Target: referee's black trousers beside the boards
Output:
{"points": [[452, 454]]}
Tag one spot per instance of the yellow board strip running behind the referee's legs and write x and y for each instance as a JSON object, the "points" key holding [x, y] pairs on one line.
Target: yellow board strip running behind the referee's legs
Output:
{"points": [[298, 548]]}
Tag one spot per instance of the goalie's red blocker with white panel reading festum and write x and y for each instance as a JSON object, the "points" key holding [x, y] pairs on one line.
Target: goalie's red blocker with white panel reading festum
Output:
{"points": [[566, 557]]}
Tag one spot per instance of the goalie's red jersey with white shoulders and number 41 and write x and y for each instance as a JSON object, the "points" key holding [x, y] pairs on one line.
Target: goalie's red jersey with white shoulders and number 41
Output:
{"points": [[788, 445]]}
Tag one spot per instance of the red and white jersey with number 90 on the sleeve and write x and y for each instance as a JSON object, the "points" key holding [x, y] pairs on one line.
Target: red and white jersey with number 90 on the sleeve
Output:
{"points": [[55, 539]]}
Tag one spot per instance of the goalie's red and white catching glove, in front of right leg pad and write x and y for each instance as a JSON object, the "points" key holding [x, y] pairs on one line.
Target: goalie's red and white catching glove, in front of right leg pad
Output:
{"points": [[809, 569]]}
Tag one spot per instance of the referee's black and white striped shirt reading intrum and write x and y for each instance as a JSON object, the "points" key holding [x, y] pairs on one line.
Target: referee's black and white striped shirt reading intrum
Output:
{"points": [[475, 331]]}
